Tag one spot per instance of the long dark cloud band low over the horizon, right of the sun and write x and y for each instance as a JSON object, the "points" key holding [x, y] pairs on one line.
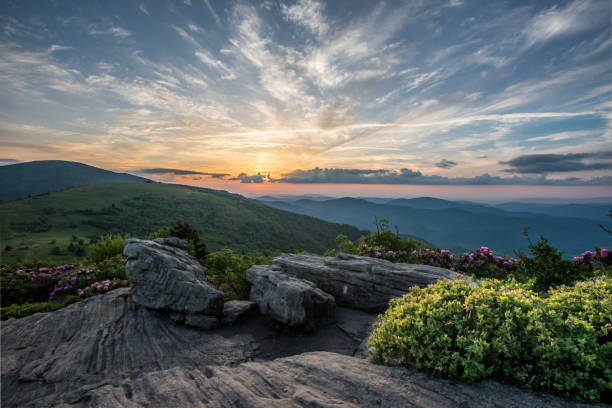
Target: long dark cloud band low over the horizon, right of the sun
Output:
{"points": [[407, 176]]}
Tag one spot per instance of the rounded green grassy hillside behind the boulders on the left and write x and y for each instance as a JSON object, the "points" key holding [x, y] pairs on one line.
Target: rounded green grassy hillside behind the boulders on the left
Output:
{"points": [[43, 227]]}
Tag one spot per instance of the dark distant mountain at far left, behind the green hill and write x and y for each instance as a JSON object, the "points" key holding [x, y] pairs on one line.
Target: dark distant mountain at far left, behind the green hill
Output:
{"points": [[39, 177]]}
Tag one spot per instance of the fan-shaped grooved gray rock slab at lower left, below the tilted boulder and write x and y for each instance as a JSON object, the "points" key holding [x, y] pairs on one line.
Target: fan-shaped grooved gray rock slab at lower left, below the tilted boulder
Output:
{"points": [[102, 340]]}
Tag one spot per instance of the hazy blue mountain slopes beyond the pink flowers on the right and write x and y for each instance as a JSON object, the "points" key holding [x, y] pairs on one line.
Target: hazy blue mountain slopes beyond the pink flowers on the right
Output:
{"points": [[461, 225]]}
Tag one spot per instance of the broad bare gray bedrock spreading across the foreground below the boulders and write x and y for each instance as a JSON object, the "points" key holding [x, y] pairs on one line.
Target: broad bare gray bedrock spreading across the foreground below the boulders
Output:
{"points": [[108, 351]]}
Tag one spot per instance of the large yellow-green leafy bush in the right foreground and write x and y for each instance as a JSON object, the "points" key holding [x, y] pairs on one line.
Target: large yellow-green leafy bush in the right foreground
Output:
{"points": [[559, 342]]}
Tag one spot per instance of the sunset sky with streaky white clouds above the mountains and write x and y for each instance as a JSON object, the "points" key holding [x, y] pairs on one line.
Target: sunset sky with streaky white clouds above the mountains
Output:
{"points": [[347, 97]]}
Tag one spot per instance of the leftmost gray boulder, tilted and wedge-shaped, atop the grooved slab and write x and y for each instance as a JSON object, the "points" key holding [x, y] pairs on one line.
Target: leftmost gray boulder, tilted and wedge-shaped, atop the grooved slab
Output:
{"points": [[164, 276]]}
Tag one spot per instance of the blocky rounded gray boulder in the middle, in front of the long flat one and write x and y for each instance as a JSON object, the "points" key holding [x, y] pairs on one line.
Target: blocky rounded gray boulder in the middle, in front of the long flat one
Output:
{"points": [[294, 302]]}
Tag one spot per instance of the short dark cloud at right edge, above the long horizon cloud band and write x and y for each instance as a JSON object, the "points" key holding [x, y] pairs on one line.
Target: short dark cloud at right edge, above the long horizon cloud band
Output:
{"points": [[558, 163]]}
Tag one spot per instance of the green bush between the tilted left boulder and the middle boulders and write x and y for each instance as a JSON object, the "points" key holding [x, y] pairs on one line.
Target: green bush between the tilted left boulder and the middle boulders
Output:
{"points": [[227, 271]]}
